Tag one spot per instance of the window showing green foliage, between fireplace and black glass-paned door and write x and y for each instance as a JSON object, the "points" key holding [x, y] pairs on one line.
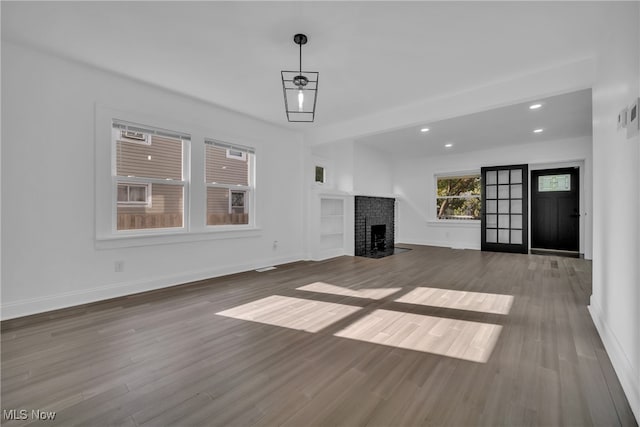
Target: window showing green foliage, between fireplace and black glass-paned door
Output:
{"points": [[458, 197]]}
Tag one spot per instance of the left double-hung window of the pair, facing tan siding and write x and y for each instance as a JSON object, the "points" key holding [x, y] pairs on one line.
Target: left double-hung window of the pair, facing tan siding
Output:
{"points": [[148, 177]]}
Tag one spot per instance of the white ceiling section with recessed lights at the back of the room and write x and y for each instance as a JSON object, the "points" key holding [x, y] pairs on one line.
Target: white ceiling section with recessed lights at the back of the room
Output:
{"points": [[560, 117]]}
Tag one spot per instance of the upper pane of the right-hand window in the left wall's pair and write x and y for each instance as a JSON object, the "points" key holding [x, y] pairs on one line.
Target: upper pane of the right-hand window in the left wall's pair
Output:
{"points": [[224, 169]]}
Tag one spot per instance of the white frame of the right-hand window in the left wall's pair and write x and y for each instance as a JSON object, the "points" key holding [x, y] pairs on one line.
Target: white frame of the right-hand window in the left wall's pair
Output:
{"points": [[249, 154]]}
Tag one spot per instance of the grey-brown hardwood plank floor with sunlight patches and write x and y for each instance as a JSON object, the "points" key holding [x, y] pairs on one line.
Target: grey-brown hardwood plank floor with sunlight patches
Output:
{"points": [[347, 341]]}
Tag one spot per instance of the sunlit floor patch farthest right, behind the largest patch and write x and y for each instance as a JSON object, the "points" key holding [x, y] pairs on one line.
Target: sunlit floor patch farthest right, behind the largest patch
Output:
{"points": [[460, 300]]}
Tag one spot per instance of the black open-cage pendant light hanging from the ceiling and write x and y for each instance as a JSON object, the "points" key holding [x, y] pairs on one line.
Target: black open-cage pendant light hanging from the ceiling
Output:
{"points": [[300, 89]]}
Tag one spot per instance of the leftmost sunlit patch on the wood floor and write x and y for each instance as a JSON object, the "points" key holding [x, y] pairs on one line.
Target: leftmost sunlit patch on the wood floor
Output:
{"points": [[293, 313]]}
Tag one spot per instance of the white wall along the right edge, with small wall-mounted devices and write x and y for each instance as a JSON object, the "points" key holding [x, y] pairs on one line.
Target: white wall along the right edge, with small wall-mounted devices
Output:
{"points": [[615, 303]]}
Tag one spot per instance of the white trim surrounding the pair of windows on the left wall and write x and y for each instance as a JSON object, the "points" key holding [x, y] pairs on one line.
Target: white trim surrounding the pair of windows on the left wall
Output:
{"points": [[195, 228]]}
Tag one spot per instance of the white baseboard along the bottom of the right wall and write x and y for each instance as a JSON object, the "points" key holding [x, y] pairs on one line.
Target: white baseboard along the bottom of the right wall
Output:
{"points": [[621, 364]]}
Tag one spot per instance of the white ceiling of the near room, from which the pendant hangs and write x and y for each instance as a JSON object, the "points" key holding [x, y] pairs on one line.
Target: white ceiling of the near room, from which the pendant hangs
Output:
{"points": [[372, 56]]}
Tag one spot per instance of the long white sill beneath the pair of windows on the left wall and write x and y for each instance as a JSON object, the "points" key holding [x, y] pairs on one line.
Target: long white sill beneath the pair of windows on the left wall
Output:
{"points": [[170, 237]]}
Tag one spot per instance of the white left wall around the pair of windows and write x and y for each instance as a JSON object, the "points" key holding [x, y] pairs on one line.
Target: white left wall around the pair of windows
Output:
{"points": [[50, 258]]}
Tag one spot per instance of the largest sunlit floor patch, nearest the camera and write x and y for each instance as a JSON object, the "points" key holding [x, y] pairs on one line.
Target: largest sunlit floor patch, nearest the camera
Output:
{"points": [[460, 339]]}
